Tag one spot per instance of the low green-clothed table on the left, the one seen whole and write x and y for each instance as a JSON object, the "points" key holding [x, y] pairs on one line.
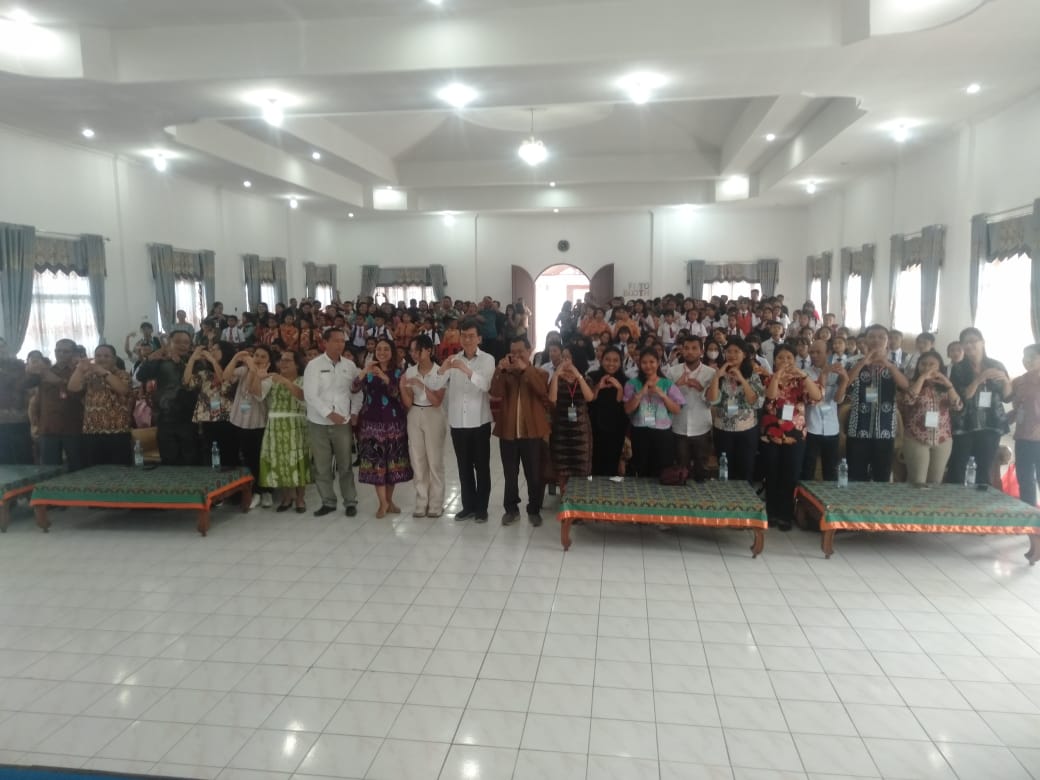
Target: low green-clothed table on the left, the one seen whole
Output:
{"points": [[149, 488]]}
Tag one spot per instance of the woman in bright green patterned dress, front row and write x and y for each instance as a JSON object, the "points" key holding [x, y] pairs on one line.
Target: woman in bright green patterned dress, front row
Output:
{"points": [[285, 455]]}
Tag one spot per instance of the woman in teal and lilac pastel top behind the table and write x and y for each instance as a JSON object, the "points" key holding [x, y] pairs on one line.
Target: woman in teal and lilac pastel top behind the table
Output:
{"points": [[652, 401]]}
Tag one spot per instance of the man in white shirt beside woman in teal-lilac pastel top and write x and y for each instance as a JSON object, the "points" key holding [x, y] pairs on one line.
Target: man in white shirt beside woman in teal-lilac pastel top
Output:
{"points": [[693, 426]]}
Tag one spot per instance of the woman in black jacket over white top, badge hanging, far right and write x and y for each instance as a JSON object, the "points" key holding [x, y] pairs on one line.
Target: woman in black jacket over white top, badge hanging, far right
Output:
{"points": [[982, 384]]}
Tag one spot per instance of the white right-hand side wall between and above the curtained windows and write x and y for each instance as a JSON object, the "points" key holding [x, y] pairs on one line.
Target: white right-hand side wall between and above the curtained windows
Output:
{"points": [[985, 167]]}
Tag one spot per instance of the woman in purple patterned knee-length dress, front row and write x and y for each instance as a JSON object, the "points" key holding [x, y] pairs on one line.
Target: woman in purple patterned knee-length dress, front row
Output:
{"points": [[383, 427]]}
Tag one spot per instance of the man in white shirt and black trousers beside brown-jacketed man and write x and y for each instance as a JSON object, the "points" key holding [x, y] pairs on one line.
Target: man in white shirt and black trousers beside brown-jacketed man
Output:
{"points": [[469, 377]]}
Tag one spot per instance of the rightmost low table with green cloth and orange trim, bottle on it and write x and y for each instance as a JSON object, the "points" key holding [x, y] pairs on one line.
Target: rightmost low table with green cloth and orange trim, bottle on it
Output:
{"points": [[919, 509]]}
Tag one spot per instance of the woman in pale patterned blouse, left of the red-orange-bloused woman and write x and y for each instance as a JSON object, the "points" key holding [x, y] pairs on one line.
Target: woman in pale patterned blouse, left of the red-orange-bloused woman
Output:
{"points": [[737, 394]]}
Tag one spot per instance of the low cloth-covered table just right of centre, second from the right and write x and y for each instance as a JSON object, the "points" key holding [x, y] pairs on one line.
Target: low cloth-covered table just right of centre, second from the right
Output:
{"points": [[712, 505]]}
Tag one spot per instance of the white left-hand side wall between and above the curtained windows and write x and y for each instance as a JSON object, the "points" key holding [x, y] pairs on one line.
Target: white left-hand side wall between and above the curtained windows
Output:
{"points": [[69, 190]]}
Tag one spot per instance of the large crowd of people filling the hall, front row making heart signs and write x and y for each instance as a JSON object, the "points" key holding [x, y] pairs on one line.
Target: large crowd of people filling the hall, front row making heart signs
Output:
{"points": [[308, 393]]}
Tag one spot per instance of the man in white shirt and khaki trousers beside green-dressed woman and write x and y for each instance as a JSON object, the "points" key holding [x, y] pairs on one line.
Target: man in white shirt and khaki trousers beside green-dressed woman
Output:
{"points": [[332, 410]]}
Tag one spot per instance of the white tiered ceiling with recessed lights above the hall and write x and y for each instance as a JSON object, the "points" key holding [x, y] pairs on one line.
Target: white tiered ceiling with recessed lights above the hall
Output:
{"points": [[827, 77]]}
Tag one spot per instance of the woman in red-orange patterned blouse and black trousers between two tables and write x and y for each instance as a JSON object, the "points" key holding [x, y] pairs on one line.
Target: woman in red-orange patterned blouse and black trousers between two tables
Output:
{"points": [[783, 448]]}
